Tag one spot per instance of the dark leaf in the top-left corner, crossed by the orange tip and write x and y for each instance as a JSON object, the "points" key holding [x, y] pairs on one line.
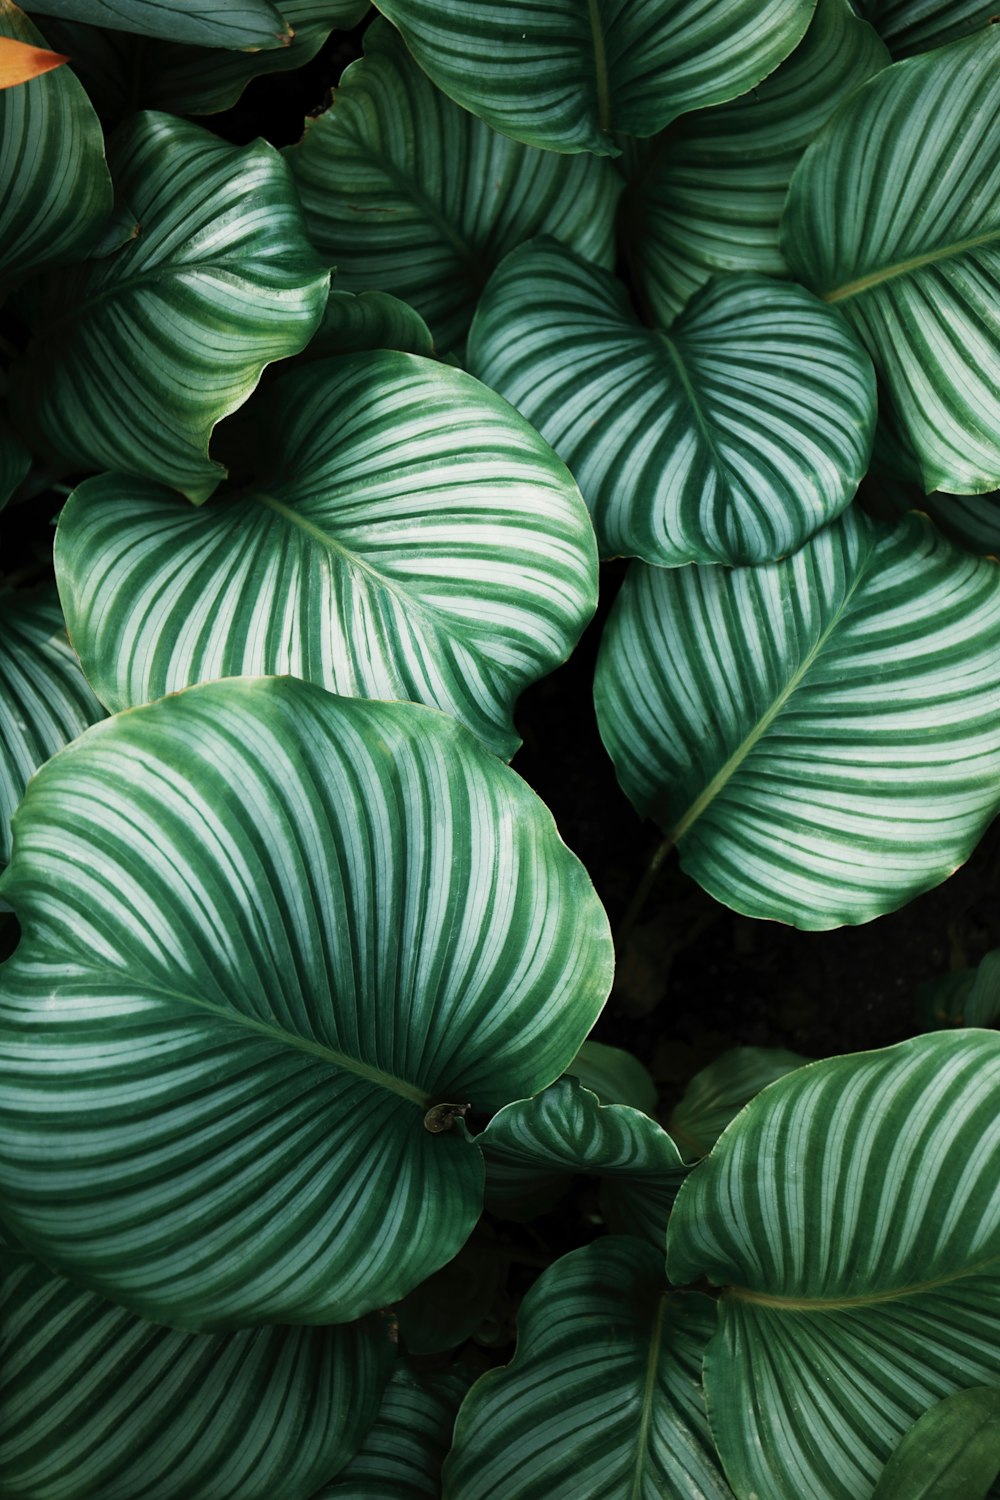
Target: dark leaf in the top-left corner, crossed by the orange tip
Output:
{"points": [[55, 182]]}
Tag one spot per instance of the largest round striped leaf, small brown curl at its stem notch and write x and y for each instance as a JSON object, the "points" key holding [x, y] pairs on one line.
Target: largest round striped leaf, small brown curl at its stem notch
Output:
{"points": [[272, 941]]}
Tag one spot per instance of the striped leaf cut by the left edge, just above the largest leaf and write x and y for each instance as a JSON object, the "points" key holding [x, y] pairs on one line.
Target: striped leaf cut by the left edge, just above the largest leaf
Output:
{"points": [[44, 697]]}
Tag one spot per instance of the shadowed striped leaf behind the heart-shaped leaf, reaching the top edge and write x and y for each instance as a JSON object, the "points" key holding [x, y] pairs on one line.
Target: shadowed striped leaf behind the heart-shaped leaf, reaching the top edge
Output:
{"points": [[711, 194]]}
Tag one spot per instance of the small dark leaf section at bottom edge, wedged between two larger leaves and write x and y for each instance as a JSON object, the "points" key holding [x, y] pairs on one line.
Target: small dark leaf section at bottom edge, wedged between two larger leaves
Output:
{"points": [[401, 1459]]}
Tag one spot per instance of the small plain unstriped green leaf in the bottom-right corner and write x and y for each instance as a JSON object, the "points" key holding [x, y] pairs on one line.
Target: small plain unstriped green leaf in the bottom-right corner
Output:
{"points": [[953, 1453]]}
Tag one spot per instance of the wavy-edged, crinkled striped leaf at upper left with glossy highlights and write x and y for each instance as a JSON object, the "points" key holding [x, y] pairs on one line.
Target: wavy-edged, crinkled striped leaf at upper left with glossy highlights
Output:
{"points": [[220, 283]]}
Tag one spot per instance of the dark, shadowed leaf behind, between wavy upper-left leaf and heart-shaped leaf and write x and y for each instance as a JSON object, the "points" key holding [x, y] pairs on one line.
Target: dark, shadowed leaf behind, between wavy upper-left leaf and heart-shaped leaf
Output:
{"points": [[409, 194]]}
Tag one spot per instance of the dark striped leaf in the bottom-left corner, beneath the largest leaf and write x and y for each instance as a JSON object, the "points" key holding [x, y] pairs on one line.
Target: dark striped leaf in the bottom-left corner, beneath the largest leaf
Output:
{"points": [[97, 1402]]}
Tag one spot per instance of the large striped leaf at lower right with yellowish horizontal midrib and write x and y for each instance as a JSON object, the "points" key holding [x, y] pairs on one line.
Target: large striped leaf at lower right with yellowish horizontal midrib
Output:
{"points": [[852, 1219]]}
